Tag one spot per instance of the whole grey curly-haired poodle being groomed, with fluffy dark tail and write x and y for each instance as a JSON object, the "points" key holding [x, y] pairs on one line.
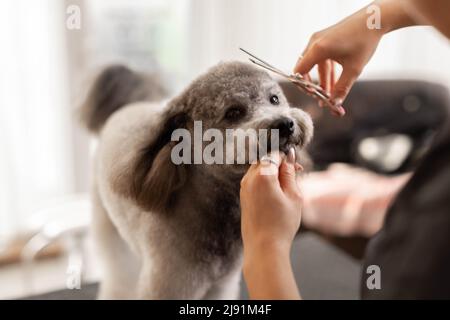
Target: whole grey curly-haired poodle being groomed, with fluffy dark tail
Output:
{"points": [[166, 230]]}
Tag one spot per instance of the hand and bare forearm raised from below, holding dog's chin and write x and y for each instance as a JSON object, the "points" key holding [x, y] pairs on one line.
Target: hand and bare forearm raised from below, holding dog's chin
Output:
{"points": [[271, 207]]}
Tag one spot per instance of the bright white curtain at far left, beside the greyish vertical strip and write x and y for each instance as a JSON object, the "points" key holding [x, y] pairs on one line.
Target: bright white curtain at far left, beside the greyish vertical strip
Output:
{"points": [[35, 151]]}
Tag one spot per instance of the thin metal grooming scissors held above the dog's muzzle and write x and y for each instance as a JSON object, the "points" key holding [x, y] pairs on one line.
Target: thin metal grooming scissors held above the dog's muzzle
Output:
{"points": [[308, 87]]}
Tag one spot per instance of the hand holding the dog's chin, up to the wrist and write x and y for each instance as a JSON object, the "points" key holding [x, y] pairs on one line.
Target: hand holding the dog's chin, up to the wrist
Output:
{"points": [[270, 205]]}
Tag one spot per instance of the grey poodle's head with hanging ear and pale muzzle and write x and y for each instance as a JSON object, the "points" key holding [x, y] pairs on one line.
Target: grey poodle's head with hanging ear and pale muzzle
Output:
{"points": [[230, 96]]}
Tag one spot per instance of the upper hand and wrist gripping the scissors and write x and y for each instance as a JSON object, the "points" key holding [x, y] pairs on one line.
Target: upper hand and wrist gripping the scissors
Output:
{"points": [[351, 43]]}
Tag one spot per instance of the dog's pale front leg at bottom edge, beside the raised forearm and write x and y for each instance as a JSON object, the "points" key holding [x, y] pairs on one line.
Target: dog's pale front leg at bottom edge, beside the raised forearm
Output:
{"points": [[226, 288]]}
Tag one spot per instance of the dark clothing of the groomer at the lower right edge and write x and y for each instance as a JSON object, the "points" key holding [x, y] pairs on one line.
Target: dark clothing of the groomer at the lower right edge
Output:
{"points": [[413, 247]]}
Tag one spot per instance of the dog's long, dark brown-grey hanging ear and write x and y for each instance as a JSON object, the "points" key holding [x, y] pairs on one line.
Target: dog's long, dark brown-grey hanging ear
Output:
{"points": [[155, 179]]}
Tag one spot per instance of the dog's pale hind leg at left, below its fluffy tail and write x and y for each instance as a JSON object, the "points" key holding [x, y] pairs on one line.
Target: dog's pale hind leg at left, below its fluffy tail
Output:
{"points": [[119, 267]]}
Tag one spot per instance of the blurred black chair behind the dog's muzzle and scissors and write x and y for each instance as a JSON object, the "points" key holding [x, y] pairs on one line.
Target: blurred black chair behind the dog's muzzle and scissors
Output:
{"points": [[375, 109]]}
